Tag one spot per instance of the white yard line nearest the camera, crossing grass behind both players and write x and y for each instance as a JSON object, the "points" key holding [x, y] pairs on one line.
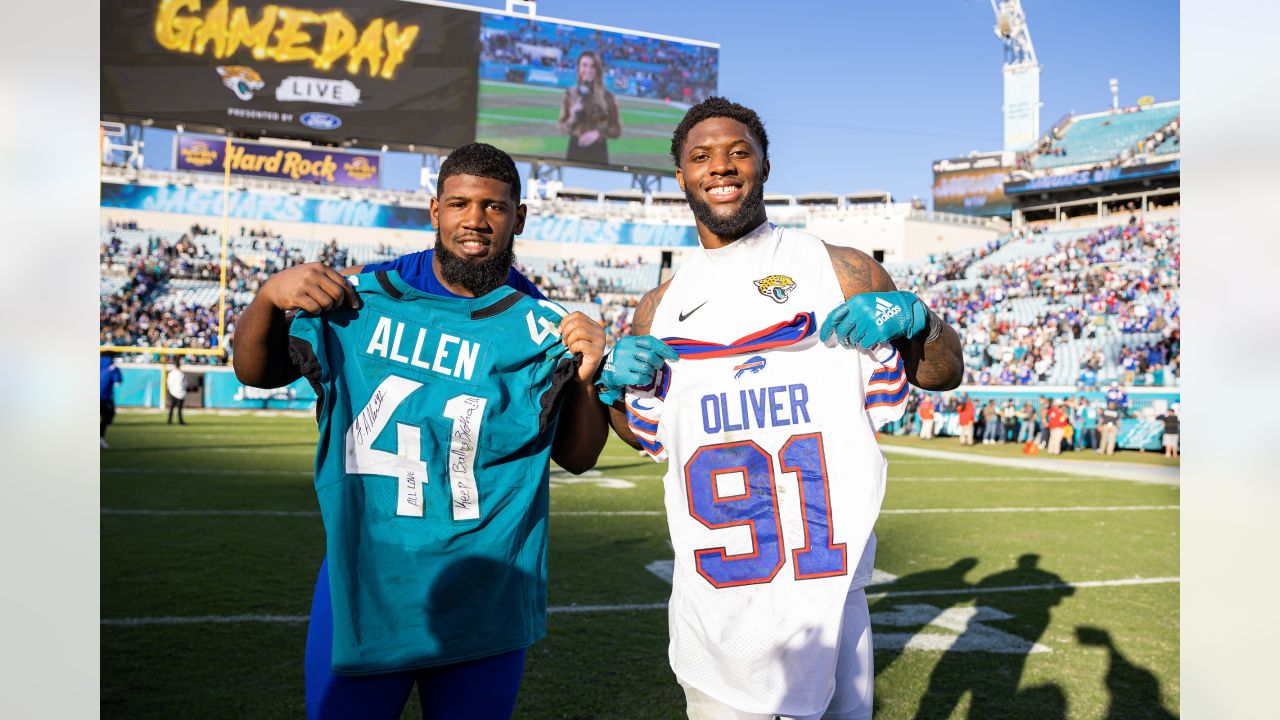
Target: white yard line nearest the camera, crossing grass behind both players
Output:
{"points": [[630, 608]]}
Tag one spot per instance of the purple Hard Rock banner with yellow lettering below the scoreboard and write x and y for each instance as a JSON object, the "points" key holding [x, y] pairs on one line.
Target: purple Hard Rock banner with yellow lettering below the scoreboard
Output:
{"points": [[324, 167]]}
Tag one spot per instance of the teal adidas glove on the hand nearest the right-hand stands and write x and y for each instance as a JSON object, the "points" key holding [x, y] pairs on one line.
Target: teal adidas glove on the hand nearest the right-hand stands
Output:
{"points": [[872, 318]]}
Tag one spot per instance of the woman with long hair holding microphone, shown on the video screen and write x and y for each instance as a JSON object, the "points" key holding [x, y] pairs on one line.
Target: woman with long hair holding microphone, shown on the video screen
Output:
{"points": [[589, 115]]}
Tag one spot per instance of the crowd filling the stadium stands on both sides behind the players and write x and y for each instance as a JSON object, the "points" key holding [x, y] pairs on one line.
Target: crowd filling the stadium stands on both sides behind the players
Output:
{"points": [[1087, 294]]}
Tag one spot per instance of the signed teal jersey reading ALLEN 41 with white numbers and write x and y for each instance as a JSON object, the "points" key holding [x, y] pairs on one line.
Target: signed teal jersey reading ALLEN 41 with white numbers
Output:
{"points": [[436, 421]]}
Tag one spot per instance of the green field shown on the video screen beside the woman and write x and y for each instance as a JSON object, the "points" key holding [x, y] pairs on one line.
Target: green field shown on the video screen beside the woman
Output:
{"points": [[523, 121]]}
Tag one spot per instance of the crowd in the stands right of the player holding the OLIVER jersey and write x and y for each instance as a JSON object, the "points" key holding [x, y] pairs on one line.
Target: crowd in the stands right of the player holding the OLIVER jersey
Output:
{"points": [[1116, 281]]}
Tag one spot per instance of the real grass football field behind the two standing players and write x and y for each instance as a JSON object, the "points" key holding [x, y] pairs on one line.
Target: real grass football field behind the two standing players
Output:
{"points": [[1003, 593]]}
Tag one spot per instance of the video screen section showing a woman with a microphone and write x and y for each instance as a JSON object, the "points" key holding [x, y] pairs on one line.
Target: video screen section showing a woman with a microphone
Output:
{"points": [[591, 97]]}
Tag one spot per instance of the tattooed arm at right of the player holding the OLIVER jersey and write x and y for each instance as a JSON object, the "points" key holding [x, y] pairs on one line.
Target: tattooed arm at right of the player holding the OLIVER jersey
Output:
{"points": [[935, 364]]}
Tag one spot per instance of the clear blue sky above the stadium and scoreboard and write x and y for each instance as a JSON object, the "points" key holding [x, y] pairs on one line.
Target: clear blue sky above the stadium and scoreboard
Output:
{"points": [[860, 95]]}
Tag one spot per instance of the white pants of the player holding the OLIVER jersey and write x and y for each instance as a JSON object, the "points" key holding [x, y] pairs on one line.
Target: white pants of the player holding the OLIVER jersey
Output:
{"points": [[856, 673]]}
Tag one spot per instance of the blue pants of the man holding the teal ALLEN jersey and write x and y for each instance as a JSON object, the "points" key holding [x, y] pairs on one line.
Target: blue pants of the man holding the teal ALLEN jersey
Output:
{"points": [[478, 690]]}
